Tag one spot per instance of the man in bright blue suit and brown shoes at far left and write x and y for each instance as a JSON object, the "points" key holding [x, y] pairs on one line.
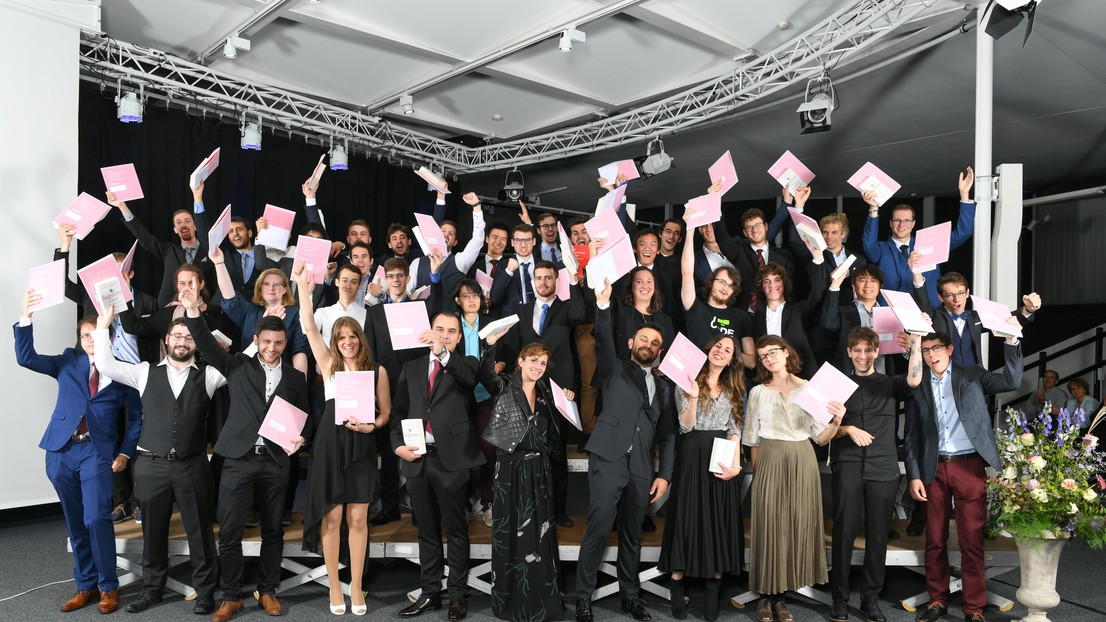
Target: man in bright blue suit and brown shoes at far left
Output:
{"points": [[82, 452]]}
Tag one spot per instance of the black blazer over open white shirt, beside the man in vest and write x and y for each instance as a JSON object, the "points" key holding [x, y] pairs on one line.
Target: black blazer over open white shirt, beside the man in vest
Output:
{"points": [[248, 405]]}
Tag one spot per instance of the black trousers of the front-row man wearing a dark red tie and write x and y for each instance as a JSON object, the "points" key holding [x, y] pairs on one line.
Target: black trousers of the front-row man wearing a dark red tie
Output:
{"points": [[439, 500]]}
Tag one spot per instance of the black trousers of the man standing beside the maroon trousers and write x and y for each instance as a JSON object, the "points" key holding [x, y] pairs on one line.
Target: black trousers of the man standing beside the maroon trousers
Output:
{"points": [[853, 495]]}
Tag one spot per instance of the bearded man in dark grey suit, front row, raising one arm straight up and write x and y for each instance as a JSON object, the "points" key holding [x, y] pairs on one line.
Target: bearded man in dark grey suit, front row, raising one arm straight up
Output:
{"points": [[638, 409]]}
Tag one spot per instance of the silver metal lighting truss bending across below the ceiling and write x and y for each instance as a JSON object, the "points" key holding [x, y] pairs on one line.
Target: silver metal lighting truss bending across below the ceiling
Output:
{"points": [[184, 84]]}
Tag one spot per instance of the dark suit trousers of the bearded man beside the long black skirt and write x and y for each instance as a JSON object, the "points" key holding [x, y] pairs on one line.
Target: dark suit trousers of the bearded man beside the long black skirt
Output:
{"points": [[614, 493]]}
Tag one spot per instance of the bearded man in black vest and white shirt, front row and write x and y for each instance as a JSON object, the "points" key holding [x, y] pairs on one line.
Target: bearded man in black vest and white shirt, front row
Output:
{"points": [[172, 464]]}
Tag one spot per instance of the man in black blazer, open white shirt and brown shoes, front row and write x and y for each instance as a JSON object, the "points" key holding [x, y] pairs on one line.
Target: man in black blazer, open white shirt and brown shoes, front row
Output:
{"points": [[254, 468]]}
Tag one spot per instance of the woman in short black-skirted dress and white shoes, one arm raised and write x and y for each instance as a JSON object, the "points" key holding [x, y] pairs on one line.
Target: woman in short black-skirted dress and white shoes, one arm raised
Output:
{"points": [[343, 457]]}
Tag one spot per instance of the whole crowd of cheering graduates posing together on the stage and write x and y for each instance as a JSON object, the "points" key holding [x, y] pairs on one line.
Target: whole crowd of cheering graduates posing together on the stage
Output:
{"points": [[236, 328]]}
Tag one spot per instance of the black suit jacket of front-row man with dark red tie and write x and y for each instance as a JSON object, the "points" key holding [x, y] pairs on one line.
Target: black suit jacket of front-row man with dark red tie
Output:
{"points": [[450, 410]]}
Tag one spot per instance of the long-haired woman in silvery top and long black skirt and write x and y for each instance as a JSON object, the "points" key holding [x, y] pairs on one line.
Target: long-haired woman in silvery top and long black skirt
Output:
{"points": [[704, 536]]}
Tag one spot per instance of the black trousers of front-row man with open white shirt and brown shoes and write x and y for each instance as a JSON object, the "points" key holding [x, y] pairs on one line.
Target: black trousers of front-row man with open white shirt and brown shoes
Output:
{"points": [[245, 481]]}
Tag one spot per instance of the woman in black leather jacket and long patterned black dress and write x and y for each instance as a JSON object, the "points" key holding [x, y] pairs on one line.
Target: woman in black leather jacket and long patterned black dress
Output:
{"points": [[525, 562]]}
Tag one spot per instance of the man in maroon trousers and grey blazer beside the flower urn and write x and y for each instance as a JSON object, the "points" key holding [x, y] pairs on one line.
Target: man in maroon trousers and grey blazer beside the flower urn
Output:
{"points": [[950, 442]]}
